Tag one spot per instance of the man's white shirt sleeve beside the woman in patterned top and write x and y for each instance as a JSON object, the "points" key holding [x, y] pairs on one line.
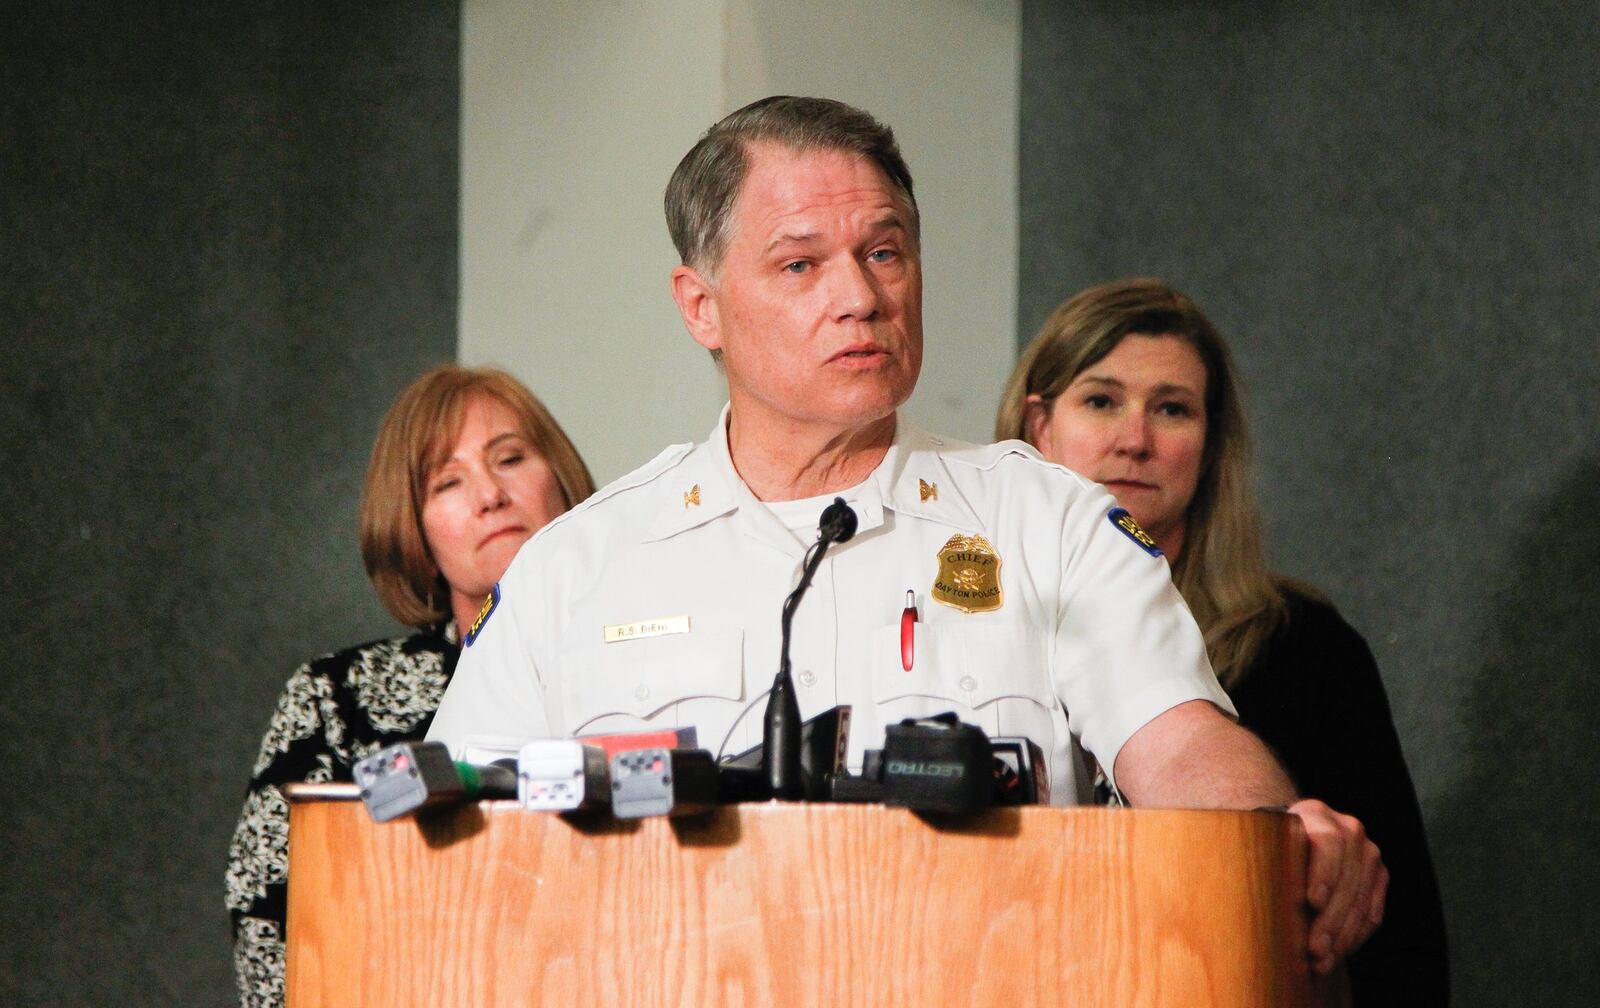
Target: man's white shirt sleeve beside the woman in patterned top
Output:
{"points": [[497, 687]]}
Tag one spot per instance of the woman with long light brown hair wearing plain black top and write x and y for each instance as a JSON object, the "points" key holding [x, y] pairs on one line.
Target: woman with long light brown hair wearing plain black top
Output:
{"points": [[1132, 386]]}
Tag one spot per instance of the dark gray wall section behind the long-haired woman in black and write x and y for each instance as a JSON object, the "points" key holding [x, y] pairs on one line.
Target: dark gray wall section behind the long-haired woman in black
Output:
{"points": [[1394, 210]]}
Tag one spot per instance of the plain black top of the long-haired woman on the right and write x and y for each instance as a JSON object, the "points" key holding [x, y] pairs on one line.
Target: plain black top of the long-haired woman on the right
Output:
{"points": [[1316, 698]]}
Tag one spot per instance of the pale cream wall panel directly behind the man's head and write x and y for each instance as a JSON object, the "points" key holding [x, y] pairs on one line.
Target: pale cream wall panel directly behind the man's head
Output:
{"points": [[574, 119]]}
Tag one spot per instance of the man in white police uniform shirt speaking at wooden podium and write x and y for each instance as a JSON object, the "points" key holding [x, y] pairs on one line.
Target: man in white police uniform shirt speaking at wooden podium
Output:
{"points": [[1042, 609]]}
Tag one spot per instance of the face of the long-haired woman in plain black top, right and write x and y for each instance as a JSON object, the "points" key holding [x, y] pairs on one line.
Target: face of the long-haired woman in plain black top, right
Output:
{"points": [[1137, 423]]}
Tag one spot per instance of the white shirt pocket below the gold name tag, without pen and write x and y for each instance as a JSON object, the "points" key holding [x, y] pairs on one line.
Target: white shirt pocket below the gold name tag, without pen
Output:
{"points": [[618, 687]]}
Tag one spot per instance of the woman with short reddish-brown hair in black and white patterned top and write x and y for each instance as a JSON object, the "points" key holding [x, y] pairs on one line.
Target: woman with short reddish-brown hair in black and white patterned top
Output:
{"points": [[468, 466]]}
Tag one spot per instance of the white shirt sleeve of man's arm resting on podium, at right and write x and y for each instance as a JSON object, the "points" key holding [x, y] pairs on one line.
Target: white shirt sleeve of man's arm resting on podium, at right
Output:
{"points": [[1127, 647]]}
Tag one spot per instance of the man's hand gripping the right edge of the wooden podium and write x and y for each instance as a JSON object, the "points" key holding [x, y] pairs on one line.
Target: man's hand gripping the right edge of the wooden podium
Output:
{"points": [[1346, 882]]}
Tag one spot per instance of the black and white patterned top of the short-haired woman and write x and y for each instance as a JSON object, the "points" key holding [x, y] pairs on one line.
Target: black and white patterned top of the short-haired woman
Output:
{"points": [[334, 711]]}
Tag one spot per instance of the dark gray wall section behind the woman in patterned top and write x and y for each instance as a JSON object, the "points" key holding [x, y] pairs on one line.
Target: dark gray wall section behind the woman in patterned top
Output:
{"points": [[228, 239]]}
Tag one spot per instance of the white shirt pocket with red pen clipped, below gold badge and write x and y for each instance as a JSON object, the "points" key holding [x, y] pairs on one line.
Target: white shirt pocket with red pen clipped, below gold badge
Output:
{"points": [[991, 674]]}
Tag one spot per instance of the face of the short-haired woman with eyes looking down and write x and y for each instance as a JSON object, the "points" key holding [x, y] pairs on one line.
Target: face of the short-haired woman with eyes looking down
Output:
{"points": [[486, 502]]}
